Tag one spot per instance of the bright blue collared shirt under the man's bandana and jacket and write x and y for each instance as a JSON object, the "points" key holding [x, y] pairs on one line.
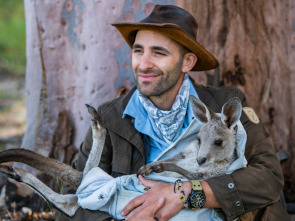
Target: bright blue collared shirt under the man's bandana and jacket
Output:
{"points": [[153, 145]]}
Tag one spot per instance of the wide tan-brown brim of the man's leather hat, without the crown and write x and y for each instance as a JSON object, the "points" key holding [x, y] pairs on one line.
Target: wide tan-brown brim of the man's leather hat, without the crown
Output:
{"points": [[206, 61]]}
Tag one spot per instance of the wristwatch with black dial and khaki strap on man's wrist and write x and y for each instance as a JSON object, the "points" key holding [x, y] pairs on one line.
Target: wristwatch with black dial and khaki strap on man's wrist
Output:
{"points": [[197, 198]]}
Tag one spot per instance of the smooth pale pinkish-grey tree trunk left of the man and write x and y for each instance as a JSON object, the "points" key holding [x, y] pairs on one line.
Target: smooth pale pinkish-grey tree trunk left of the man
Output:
{"points": [[66, 69]]}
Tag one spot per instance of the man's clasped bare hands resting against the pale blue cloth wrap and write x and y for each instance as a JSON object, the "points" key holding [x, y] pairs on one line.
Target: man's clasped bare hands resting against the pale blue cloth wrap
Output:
{"points": [[144, 204]]}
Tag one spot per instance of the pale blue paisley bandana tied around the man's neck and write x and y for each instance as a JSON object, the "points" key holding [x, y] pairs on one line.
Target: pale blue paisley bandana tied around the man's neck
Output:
{"points": [[167, 124]]}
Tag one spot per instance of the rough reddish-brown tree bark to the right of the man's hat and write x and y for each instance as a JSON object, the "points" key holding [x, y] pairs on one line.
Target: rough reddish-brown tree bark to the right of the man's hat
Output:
{"points": [[254, 43]]}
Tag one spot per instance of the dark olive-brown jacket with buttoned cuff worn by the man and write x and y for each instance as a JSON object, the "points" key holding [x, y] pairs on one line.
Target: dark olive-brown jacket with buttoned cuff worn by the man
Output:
{"points": [[255, 188]]}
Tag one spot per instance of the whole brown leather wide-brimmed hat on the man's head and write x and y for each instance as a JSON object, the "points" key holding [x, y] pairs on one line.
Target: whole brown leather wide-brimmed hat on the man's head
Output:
{"points": [[175, 23]]}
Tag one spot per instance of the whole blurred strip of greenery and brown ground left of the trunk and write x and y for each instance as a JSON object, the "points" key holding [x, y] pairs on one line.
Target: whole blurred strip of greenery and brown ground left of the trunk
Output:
{"points": [[12, 73]]}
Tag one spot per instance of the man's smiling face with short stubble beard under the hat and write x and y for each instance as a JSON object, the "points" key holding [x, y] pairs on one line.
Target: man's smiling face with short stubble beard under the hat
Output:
{"points": [[157, 63]]}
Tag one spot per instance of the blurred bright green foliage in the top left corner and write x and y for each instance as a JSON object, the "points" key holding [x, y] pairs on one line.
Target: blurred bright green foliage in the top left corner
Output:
{"points": [[12, 36]]}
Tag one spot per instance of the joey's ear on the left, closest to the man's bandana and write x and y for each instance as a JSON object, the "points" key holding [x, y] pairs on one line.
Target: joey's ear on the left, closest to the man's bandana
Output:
{"points": [[200, 110]]}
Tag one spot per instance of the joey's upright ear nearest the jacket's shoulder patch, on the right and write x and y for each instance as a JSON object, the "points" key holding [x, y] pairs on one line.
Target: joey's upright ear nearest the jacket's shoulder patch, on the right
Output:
{"points": [[231, 112]]}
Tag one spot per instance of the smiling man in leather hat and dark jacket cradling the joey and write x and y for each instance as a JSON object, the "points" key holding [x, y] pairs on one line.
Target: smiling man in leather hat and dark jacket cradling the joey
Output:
{"points": [[142, 124]]}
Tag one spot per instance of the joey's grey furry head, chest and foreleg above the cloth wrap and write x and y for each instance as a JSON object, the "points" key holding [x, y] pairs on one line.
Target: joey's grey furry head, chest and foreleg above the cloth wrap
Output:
{"points": [[214, 150]]}
